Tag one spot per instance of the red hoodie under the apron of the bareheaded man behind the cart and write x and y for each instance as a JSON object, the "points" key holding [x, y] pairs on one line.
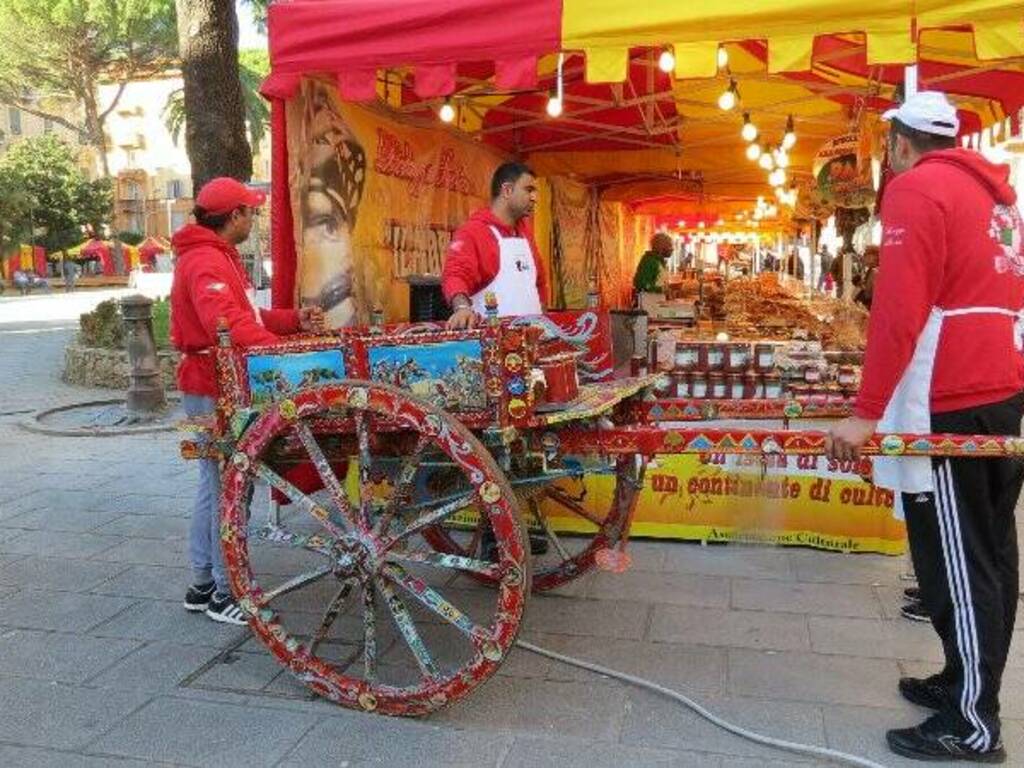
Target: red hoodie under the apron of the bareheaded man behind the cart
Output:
{"points": [[473, 260]]}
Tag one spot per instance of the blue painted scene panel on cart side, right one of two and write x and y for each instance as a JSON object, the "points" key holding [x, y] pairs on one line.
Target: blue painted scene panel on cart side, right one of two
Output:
{"points": [[448, 374]]}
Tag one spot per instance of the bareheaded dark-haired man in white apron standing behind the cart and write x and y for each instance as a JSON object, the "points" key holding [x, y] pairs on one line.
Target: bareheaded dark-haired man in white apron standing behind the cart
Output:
{"points": [[495, 252]]}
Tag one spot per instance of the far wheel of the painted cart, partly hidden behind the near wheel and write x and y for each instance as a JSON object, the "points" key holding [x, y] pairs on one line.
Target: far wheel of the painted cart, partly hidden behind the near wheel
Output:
{"points": [[594, 540]]}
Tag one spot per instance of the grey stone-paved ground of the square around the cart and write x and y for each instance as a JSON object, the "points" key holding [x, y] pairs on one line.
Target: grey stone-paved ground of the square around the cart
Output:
{"points": [[101, 667]]}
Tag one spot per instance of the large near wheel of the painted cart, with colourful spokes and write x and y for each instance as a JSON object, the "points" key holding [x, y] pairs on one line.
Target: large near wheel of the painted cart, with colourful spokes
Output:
{"points": [[354, 603]]}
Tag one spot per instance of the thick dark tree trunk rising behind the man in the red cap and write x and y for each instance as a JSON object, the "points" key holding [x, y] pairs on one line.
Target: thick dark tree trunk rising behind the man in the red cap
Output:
{"points": [[216, 126]]}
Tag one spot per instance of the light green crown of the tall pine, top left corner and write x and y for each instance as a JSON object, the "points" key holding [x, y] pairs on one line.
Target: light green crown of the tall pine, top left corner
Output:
{"points": [[55, 53]]}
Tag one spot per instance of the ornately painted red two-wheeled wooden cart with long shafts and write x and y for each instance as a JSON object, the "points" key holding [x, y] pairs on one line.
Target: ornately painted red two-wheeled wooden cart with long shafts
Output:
{"points": [[414, 461]]}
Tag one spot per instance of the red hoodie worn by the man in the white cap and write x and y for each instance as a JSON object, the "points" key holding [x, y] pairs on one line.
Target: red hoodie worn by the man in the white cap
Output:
{"points": [[953, 238]]}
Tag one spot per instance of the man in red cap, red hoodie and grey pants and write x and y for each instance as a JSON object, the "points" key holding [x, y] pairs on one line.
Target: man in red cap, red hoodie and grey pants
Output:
{"points": [[210, 284]]}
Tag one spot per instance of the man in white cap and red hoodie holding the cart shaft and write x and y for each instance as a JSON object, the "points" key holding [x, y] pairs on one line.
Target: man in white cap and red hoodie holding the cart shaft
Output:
{"points": [[945, 356]]}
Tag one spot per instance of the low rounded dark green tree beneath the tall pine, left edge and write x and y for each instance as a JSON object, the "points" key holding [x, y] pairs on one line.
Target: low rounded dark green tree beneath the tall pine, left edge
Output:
{"points": [[55, 197]]}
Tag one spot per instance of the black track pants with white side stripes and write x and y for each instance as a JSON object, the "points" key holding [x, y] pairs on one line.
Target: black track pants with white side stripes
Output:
{"points": [[964, 545]]}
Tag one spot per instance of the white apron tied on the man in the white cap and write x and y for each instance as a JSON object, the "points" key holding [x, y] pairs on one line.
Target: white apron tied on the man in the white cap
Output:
{"points": [[910, 410]]}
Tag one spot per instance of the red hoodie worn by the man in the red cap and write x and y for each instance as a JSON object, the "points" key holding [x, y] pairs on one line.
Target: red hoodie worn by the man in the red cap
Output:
{"points": [[209, 284]]}
